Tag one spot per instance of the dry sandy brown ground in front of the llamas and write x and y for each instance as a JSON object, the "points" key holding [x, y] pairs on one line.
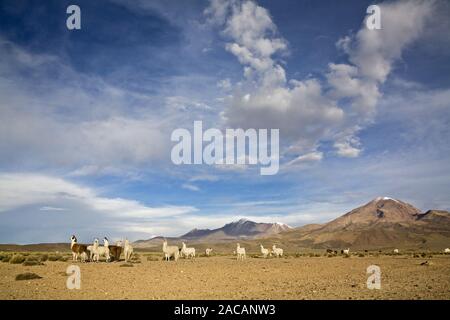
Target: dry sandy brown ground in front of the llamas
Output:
{"points": [[222, 277]]}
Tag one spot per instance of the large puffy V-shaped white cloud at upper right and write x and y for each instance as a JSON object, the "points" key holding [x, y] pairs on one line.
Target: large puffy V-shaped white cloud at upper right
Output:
{"points": [[309, 112]]}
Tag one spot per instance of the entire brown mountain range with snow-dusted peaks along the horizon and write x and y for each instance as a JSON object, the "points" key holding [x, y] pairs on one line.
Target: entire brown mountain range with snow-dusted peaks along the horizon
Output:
{"points": [[381, 223]]}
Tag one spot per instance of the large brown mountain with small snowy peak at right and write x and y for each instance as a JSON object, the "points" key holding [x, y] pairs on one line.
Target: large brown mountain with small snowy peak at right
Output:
{"points": [[383, 222]]}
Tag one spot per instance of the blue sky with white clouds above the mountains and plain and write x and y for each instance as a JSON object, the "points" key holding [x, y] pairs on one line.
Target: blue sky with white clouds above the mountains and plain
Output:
{"points": [[86, 115]]}
